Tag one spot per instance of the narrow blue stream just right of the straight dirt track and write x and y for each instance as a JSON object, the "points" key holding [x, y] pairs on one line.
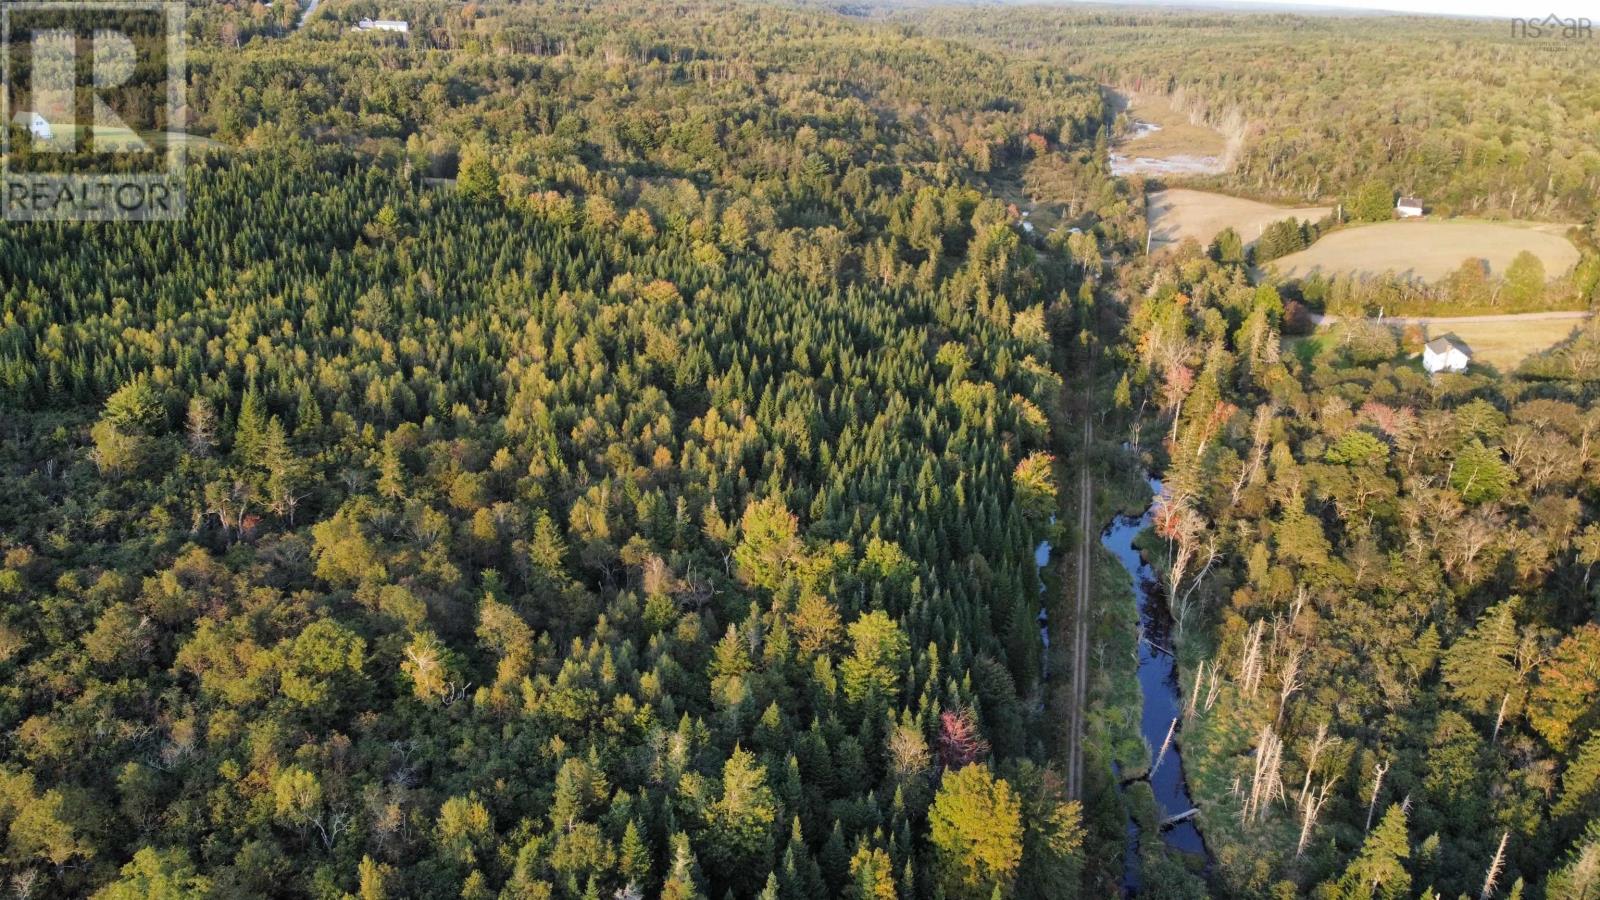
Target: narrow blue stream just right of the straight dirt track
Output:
{"points": [[1161, 689]]}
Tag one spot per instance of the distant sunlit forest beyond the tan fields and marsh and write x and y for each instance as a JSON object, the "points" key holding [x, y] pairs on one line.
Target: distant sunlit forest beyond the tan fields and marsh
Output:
{"points": [[1465, 113]]}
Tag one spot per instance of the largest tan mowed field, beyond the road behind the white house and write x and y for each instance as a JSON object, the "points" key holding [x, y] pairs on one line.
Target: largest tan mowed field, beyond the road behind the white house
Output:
{"points": [[1431, 251]]}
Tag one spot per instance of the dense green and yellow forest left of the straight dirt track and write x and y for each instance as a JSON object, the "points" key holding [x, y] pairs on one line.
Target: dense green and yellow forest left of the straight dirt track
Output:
{"points": [[646, 510]]}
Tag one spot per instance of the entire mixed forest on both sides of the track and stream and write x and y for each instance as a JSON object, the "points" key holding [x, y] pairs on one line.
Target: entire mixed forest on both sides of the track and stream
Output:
{"points": [[599, 449]]}
